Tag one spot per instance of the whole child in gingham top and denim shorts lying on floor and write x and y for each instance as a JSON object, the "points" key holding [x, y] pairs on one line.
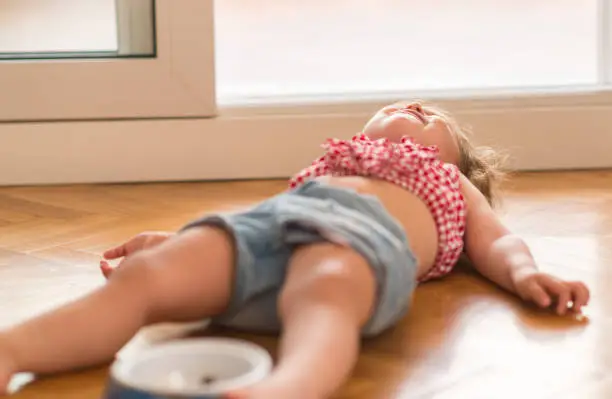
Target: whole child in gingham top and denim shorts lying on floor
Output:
{"points": [[334, 258]]}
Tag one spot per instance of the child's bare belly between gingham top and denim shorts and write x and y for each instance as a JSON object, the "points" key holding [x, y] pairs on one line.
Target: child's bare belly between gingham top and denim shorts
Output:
{"points": [[405, 207]]}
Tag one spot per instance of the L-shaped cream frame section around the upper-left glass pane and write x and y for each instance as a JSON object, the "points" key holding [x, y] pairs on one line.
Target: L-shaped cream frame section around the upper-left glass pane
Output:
{"points": [[178, 81]]}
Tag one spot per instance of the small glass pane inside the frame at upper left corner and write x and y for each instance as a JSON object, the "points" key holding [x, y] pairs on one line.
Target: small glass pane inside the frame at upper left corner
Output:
{"points": [[68, 28]]}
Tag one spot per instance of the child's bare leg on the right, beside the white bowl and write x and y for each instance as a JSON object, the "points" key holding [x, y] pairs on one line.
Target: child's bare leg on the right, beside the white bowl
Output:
{"points": [[328, 296]]}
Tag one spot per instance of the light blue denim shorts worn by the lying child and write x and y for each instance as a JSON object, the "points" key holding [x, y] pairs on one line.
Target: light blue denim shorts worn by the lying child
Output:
{"points": [[266, 235]]}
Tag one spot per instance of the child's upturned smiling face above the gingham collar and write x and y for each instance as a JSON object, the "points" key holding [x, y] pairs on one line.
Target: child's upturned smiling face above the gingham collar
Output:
{"points": [[423, 125]]}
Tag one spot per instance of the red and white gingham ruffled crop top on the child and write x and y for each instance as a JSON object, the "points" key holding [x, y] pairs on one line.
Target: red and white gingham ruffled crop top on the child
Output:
{"points": [[413, 167]]}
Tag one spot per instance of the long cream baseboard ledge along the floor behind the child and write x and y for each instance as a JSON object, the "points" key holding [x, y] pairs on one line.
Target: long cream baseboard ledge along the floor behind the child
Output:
{"points": [[273, 146]]}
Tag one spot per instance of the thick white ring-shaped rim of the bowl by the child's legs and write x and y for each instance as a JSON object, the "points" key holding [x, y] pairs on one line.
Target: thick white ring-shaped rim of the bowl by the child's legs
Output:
{"points": [[259, 358]]}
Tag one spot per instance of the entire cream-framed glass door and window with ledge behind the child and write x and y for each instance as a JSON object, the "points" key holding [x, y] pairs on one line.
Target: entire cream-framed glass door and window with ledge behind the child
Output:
{"points": [[133, 90]]}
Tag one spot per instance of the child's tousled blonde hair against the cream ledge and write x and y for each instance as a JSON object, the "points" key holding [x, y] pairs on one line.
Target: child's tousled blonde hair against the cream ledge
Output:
{"points": [[483, 166]]}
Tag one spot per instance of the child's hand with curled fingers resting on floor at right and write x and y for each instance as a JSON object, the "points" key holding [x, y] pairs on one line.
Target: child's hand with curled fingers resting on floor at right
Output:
{"points": [[545, 290]]}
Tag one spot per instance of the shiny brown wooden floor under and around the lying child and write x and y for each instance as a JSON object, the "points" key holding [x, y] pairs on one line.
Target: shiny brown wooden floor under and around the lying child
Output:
{"points": [[464, 338]]}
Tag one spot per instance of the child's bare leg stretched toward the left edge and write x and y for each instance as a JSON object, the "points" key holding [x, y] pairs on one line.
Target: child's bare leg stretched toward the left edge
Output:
{"points": [[186, 278]]}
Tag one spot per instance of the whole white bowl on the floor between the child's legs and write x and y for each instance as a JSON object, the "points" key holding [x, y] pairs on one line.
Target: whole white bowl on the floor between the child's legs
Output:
{"points": [[200, 367]]}
